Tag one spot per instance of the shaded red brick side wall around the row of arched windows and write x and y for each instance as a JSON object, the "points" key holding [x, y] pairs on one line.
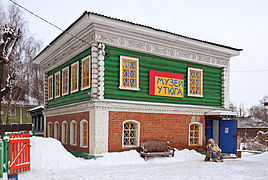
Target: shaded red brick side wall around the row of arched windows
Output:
{"points": [[78, 117]]}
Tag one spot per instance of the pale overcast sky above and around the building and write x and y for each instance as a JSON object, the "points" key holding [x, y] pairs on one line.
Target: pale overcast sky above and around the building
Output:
{"points": [[236, 23]]}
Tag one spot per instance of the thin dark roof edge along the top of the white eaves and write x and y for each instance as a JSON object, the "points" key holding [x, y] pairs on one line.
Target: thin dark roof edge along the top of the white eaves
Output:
{"points": [[93, 13]]}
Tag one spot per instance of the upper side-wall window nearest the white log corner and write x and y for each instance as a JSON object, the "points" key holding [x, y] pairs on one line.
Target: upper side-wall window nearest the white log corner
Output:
{"points": [[85, 73]]}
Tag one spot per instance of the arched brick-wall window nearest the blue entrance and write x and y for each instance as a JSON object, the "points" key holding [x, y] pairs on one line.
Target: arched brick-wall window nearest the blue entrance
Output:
{"points": [[195, 134]]}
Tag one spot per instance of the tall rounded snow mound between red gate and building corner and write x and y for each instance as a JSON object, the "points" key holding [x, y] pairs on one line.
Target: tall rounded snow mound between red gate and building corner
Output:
{"points": [[49, 154]]}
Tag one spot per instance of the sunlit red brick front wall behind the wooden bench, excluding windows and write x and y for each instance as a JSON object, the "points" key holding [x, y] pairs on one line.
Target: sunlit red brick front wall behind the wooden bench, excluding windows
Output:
{"points": [[154, 126]]}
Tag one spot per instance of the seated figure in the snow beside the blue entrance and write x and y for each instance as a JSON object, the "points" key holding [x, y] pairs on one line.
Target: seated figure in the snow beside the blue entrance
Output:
{"points": [[213, 152]]}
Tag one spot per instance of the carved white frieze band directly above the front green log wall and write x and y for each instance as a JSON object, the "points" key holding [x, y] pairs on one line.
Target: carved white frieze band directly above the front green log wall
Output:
{"points": [[151, 48]]}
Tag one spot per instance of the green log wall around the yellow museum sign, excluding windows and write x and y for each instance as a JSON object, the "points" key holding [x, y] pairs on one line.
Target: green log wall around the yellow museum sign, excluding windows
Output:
{"points": [[212, 82]]}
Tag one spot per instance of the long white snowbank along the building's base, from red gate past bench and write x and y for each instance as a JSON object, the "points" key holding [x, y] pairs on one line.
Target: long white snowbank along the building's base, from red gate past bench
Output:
{"points": [[48, 154]]}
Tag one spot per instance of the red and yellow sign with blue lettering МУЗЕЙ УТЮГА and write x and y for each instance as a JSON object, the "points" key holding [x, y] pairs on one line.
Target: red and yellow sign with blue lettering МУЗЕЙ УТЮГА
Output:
{"points": [[166, 84]]}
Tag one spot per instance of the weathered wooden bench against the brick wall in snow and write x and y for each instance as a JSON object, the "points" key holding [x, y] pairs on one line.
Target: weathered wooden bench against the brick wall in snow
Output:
{"points": [[156, 149]]}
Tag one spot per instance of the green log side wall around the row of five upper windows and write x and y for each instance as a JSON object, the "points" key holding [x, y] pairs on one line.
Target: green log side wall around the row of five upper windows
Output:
{"points": [[79, 96]]}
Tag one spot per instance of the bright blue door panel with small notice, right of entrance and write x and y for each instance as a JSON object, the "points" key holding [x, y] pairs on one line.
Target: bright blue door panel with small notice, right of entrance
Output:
{"points": [[228, 136]]}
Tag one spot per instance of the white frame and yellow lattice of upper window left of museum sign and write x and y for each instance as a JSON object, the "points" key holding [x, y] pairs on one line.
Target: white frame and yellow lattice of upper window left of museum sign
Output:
{"points": [[126, 58]]}
